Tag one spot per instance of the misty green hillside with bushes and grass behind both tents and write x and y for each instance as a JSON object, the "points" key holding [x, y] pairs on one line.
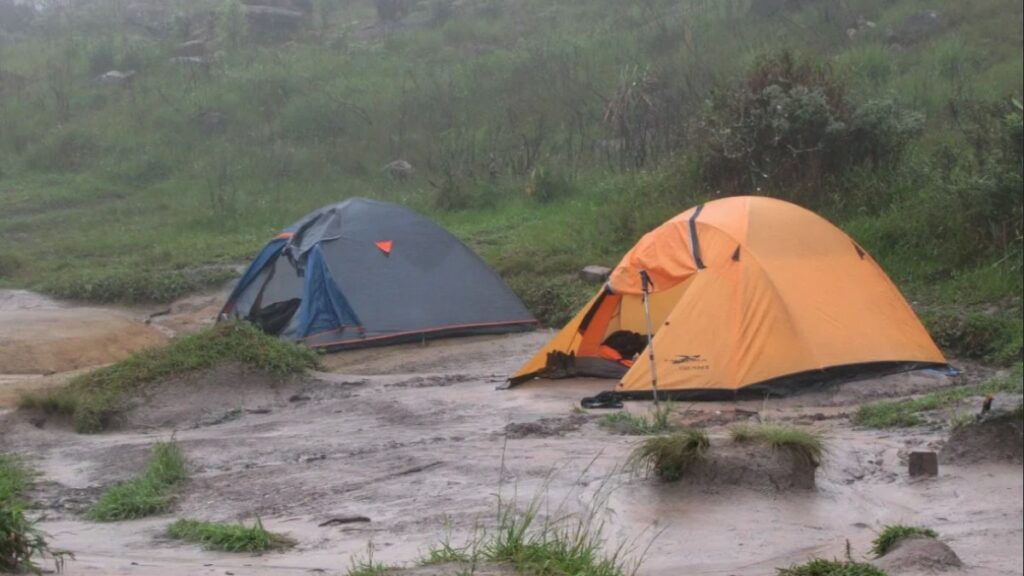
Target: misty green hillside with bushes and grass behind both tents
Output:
{"points": [[546, 134]]}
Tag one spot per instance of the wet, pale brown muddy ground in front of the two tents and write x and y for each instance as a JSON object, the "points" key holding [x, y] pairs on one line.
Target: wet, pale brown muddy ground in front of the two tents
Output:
{"points": [[417, 440]]}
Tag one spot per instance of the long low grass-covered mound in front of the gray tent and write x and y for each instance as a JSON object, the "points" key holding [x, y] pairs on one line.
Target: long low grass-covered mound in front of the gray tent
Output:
{"points": [[97, 399]]}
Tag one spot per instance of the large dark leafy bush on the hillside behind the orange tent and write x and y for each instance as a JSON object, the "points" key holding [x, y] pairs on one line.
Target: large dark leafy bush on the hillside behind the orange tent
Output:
{"points": [[791, 127]]}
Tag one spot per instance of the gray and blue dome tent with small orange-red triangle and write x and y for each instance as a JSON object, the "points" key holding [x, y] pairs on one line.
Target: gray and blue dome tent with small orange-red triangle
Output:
{"points": [[365, 273]]}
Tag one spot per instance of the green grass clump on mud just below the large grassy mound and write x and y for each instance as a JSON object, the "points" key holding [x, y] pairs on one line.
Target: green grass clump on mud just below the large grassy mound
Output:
{"points": [[149, 495]]}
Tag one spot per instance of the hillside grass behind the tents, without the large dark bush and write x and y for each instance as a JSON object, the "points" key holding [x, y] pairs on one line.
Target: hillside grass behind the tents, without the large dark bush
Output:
{"points": [[121, 196]]}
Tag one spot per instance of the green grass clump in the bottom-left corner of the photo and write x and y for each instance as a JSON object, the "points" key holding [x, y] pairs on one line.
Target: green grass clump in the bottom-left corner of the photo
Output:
{"points": [[23, 546]]}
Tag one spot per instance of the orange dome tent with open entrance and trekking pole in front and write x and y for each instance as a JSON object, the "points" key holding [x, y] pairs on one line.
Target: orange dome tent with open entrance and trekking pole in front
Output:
{"points": [[748, 294]]}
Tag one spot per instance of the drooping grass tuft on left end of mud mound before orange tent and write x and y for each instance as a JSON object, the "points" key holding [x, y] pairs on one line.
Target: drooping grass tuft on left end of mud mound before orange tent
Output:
{"points": [[669, 457]]}
